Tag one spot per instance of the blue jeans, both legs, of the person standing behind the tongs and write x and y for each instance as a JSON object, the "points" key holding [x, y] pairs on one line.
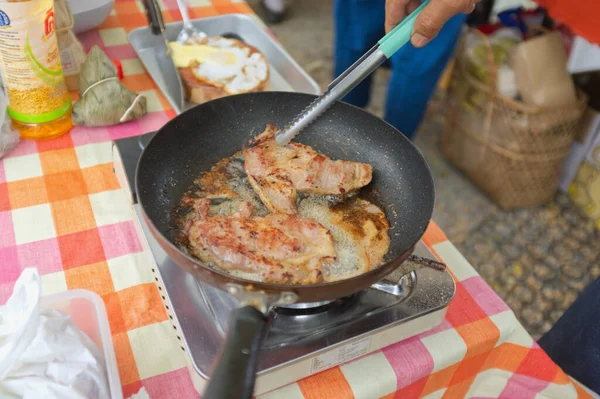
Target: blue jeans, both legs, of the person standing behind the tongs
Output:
{"points": [[358, 25]]}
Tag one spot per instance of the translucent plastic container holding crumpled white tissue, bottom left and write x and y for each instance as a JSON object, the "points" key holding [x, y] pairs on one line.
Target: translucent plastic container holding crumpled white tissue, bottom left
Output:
{"points": [[89, 314]]}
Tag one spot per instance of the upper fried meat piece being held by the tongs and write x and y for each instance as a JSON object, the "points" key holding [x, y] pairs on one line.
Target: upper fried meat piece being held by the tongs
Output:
{"points": [[277, 172]]}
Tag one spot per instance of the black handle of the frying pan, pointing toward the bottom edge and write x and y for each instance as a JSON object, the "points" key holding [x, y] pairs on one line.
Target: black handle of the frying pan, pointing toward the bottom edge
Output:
{"points": [[234, 375]]}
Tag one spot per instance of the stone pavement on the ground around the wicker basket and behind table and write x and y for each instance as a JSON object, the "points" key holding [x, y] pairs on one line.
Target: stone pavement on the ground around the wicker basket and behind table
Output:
{"points": [[537, 259]]}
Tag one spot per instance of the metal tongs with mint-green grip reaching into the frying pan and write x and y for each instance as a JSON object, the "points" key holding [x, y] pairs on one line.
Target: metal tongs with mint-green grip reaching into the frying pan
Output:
{"points": [[352, 76]]}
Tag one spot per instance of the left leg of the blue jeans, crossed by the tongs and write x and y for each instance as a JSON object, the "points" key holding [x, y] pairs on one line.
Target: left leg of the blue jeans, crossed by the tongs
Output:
{"points": [[358, 25]]}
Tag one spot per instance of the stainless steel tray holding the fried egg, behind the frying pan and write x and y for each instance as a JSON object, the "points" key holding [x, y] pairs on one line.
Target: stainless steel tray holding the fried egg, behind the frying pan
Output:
{"points": [[286, 74]]}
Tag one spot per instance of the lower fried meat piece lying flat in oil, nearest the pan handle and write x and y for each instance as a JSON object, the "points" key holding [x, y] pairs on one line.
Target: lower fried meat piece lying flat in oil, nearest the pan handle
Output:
{"points": [[278, 248]]}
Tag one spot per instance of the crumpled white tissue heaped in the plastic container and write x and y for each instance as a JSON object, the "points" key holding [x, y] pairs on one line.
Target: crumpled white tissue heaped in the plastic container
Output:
{"points": [[42, 352]]}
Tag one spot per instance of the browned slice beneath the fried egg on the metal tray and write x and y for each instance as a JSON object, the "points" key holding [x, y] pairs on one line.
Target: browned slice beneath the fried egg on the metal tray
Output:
{"points": [[199, 89]]}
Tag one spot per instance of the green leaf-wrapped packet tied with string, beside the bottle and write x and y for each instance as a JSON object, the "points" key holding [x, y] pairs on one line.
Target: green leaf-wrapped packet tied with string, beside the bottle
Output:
{"points": [[103, 99]]}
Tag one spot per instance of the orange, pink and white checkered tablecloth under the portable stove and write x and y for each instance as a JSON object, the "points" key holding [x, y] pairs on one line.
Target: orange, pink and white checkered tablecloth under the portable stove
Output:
{"points": [[62, 210]]}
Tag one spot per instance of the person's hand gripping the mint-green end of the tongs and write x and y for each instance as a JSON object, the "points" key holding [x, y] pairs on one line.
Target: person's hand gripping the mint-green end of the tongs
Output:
{"points": [[431, 20]]}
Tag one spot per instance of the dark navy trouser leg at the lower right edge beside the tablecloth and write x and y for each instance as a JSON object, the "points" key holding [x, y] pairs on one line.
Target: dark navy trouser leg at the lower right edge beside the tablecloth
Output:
{"points": [[574, 341]]}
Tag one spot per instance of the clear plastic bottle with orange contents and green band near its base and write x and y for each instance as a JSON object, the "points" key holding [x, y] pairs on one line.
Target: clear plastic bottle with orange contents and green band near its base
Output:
{"points": [[38, 100]]}
